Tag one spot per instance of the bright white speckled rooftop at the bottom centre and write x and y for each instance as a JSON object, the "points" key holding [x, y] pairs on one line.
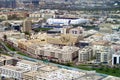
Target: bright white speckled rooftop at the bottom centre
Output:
{"points": [[61, 74]]}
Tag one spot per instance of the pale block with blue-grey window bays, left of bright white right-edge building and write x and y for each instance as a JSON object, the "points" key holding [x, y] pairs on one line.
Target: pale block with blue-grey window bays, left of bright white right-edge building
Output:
{"points": [[103, 52]]}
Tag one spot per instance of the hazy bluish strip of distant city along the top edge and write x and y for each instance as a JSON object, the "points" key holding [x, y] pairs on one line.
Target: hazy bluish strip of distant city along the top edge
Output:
{"points": [[60, 4]]}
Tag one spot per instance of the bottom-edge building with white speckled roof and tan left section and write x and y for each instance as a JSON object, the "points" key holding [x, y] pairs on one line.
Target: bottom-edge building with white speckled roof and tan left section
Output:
{"points": [[56, 74]]}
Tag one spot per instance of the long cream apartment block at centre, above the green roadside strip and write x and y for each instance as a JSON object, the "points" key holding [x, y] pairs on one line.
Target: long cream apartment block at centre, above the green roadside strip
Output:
{"points": [[58, 54]]}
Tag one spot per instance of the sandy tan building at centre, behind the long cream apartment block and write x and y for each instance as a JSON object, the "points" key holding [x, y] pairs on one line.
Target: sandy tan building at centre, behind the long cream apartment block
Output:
{"points": [[64, 39]]}
